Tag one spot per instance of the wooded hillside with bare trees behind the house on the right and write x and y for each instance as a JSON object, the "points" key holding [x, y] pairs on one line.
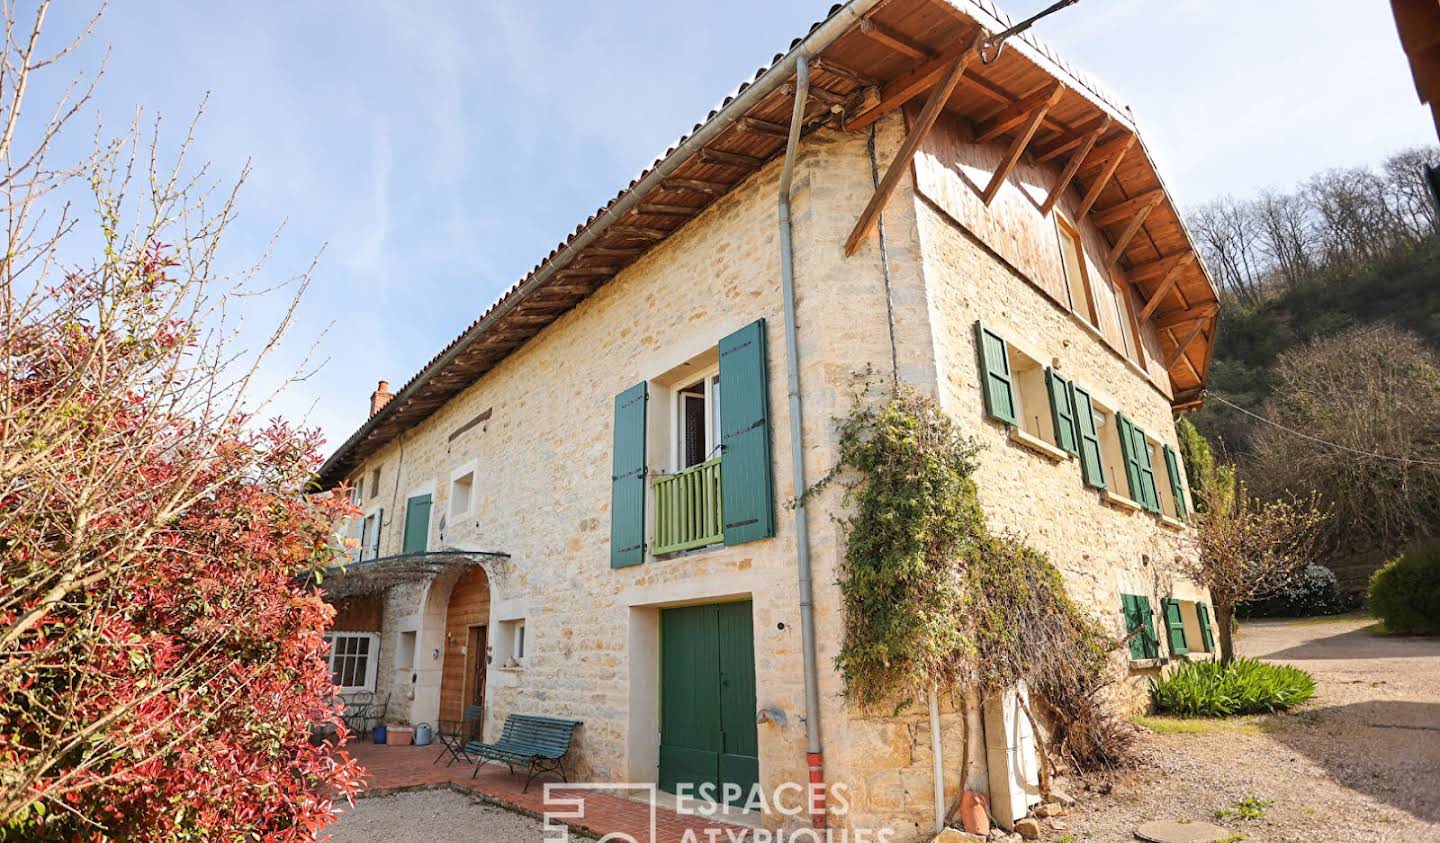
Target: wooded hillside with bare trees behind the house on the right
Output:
{"points": [[1327, 373]]}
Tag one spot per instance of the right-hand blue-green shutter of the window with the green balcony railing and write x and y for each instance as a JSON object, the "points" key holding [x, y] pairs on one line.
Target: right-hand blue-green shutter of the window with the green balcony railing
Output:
{"points": [[747, 485]]}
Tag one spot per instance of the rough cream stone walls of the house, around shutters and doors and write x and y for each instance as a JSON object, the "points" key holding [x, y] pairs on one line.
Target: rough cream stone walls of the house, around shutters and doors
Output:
{"points": [[542, 489]]}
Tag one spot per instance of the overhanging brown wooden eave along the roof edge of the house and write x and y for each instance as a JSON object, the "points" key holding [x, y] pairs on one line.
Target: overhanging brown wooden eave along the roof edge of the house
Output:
{"points": [[846, 79]]}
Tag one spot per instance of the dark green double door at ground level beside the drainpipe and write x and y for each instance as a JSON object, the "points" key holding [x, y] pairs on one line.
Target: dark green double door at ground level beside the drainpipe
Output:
{"points": [[708, 731]]}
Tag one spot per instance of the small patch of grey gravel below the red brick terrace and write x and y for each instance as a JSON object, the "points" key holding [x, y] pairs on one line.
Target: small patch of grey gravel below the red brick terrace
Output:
{"points": [[431, 816]]}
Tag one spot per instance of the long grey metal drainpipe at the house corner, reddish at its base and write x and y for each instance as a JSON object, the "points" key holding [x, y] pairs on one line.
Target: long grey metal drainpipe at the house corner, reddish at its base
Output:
{"points": [[814, 756]]}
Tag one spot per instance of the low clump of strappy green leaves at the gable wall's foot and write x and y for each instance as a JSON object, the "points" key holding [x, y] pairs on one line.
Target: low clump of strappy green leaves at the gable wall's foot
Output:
{"points": [[1246, 687]]}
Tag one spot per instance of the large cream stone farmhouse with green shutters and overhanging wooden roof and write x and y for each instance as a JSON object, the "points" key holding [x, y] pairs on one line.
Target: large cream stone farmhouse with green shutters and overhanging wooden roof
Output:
{"points": [[585, 505]]}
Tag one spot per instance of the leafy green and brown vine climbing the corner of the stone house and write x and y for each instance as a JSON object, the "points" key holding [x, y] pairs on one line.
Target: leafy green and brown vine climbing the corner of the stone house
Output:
{"points": [[937, 600]]}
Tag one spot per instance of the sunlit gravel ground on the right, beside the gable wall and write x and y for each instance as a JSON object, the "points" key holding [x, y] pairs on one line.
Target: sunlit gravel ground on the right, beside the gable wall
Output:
{"points": [[1362, 762]]}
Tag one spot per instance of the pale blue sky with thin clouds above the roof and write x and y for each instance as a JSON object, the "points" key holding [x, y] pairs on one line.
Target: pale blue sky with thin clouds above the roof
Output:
{"points": [[438, 151]]}
